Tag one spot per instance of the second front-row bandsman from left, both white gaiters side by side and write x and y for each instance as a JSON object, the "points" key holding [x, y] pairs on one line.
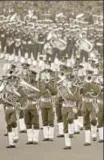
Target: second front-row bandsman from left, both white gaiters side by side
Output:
{"points": [[31, 115]]}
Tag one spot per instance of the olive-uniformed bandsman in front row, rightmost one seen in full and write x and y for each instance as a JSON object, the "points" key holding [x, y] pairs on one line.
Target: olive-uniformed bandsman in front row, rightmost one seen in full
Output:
{"points": [[89, 90]]}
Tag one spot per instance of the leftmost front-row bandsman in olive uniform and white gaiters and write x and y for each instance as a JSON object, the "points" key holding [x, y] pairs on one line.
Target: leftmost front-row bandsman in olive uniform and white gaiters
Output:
{"points": [[10, 114]]}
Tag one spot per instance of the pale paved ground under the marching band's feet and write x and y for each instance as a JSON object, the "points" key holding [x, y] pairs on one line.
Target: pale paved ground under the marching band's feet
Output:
{"points": [[47, 150]]}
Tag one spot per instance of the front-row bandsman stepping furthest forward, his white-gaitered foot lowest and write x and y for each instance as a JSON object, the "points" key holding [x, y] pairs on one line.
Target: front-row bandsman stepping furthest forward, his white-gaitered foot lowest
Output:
{"points": [[70, 95]]}
